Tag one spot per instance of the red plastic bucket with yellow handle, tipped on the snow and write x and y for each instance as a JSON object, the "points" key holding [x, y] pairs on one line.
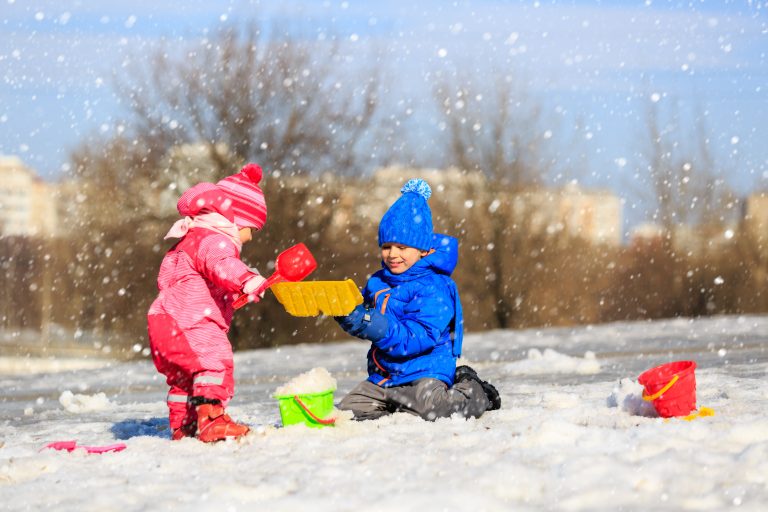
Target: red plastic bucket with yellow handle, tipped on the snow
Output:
{"points": [[671, 388]]}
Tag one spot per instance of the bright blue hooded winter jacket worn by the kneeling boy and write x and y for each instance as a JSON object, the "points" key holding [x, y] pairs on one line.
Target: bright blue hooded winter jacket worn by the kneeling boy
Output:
{"points": [[425, 324]]}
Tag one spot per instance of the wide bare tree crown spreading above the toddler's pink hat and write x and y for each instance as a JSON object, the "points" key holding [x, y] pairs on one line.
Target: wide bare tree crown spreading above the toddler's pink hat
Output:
{"points": [[290, 104]]}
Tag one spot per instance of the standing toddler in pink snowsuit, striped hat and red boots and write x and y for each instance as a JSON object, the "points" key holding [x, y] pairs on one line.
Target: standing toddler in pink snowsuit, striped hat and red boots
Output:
{"points": [[199, 279]]}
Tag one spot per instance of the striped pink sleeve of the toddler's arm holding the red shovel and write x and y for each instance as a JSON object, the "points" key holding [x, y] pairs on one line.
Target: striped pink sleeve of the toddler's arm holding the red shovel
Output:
{"points": [[221, 263]]}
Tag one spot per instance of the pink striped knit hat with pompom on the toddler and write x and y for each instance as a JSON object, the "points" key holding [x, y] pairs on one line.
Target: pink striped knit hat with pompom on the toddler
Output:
{"points": [[248, 204]]}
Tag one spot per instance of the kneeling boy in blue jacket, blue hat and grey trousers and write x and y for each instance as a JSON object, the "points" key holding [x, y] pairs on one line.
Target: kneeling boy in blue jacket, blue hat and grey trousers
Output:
{"points": [[412, 315]]}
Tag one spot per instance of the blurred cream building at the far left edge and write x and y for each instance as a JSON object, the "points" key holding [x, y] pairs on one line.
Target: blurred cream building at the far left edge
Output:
{"points": [[28, 205]]}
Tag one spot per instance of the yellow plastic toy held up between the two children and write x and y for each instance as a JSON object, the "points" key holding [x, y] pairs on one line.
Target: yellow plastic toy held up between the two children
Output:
{"points": [[313, 298]]}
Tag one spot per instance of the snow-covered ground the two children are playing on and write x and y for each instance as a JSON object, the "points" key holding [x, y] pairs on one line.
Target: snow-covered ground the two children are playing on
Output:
{"points": [[572, 434]]}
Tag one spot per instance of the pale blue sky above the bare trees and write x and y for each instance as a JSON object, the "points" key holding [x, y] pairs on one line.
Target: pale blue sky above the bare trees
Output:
{"points": [[596, 61]]}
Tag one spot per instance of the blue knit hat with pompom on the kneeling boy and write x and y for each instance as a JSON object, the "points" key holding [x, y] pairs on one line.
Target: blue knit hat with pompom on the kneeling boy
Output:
{"points": [[409, 220]]}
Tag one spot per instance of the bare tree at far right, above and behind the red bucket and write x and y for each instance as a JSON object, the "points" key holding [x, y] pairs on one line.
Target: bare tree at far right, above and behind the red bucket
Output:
{"points": [[693, 205]]}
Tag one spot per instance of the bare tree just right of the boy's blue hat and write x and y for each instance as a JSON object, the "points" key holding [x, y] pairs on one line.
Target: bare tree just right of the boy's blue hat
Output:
{"points": [[495, 128]]}
